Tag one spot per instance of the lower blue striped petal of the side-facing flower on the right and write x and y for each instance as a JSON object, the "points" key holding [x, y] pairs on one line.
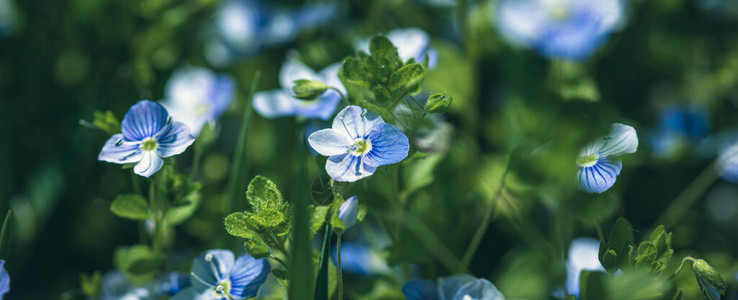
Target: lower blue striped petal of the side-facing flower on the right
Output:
{"points": [[600, 176]]}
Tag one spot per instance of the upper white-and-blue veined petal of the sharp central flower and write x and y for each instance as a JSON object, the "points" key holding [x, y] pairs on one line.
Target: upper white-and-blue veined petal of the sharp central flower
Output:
{"points": [[356, 122]]}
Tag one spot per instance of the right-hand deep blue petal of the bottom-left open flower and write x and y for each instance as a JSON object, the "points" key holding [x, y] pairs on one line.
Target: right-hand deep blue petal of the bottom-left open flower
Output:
{"points": [[247, 275]]}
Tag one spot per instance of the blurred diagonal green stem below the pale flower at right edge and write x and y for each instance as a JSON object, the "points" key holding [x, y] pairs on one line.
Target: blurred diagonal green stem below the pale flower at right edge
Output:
{"points": [[692, 193]]}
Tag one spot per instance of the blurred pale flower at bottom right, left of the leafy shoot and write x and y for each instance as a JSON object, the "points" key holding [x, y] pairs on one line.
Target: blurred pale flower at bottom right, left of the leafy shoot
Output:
{"points": [[583, 255]]}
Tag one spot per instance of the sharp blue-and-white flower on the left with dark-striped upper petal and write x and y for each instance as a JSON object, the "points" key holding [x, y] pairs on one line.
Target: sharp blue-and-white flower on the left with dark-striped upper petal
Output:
{"points": [[149, 134]]}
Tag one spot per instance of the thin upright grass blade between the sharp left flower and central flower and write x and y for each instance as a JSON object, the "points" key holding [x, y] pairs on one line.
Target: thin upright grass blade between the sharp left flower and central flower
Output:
{"points": [[238, 173]]}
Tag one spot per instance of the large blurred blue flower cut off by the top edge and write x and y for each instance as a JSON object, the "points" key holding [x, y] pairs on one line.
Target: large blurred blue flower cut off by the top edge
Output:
{"points": [[562, 29]]}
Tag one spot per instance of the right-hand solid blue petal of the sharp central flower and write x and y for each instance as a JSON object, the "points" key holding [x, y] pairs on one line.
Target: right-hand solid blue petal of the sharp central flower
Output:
{"points": [[389, 146]]}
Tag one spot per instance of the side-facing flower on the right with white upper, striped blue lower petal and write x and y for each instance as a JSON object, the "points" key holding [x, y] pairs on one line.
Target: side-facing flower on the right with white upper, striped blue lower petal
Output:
{"points": [[598, 163]]}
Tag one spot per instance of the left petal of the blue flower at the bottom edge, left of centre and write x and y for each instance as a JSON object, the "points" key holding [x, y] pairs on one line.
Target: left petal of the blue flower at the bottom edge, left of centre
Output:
{"points": [[211, 271]]}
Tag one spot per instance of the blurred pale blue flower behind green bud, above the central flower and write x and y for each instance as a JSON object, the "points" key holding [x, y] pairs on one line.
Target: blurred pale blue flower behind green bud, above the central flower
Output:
{"points": [[280, 103]]}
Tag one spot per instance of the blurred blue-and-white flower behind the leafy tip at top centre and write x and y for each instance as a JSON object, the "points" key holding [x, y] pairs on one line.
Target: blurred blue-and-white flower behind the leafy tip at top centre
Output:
{"points": [[411, 43]]}
